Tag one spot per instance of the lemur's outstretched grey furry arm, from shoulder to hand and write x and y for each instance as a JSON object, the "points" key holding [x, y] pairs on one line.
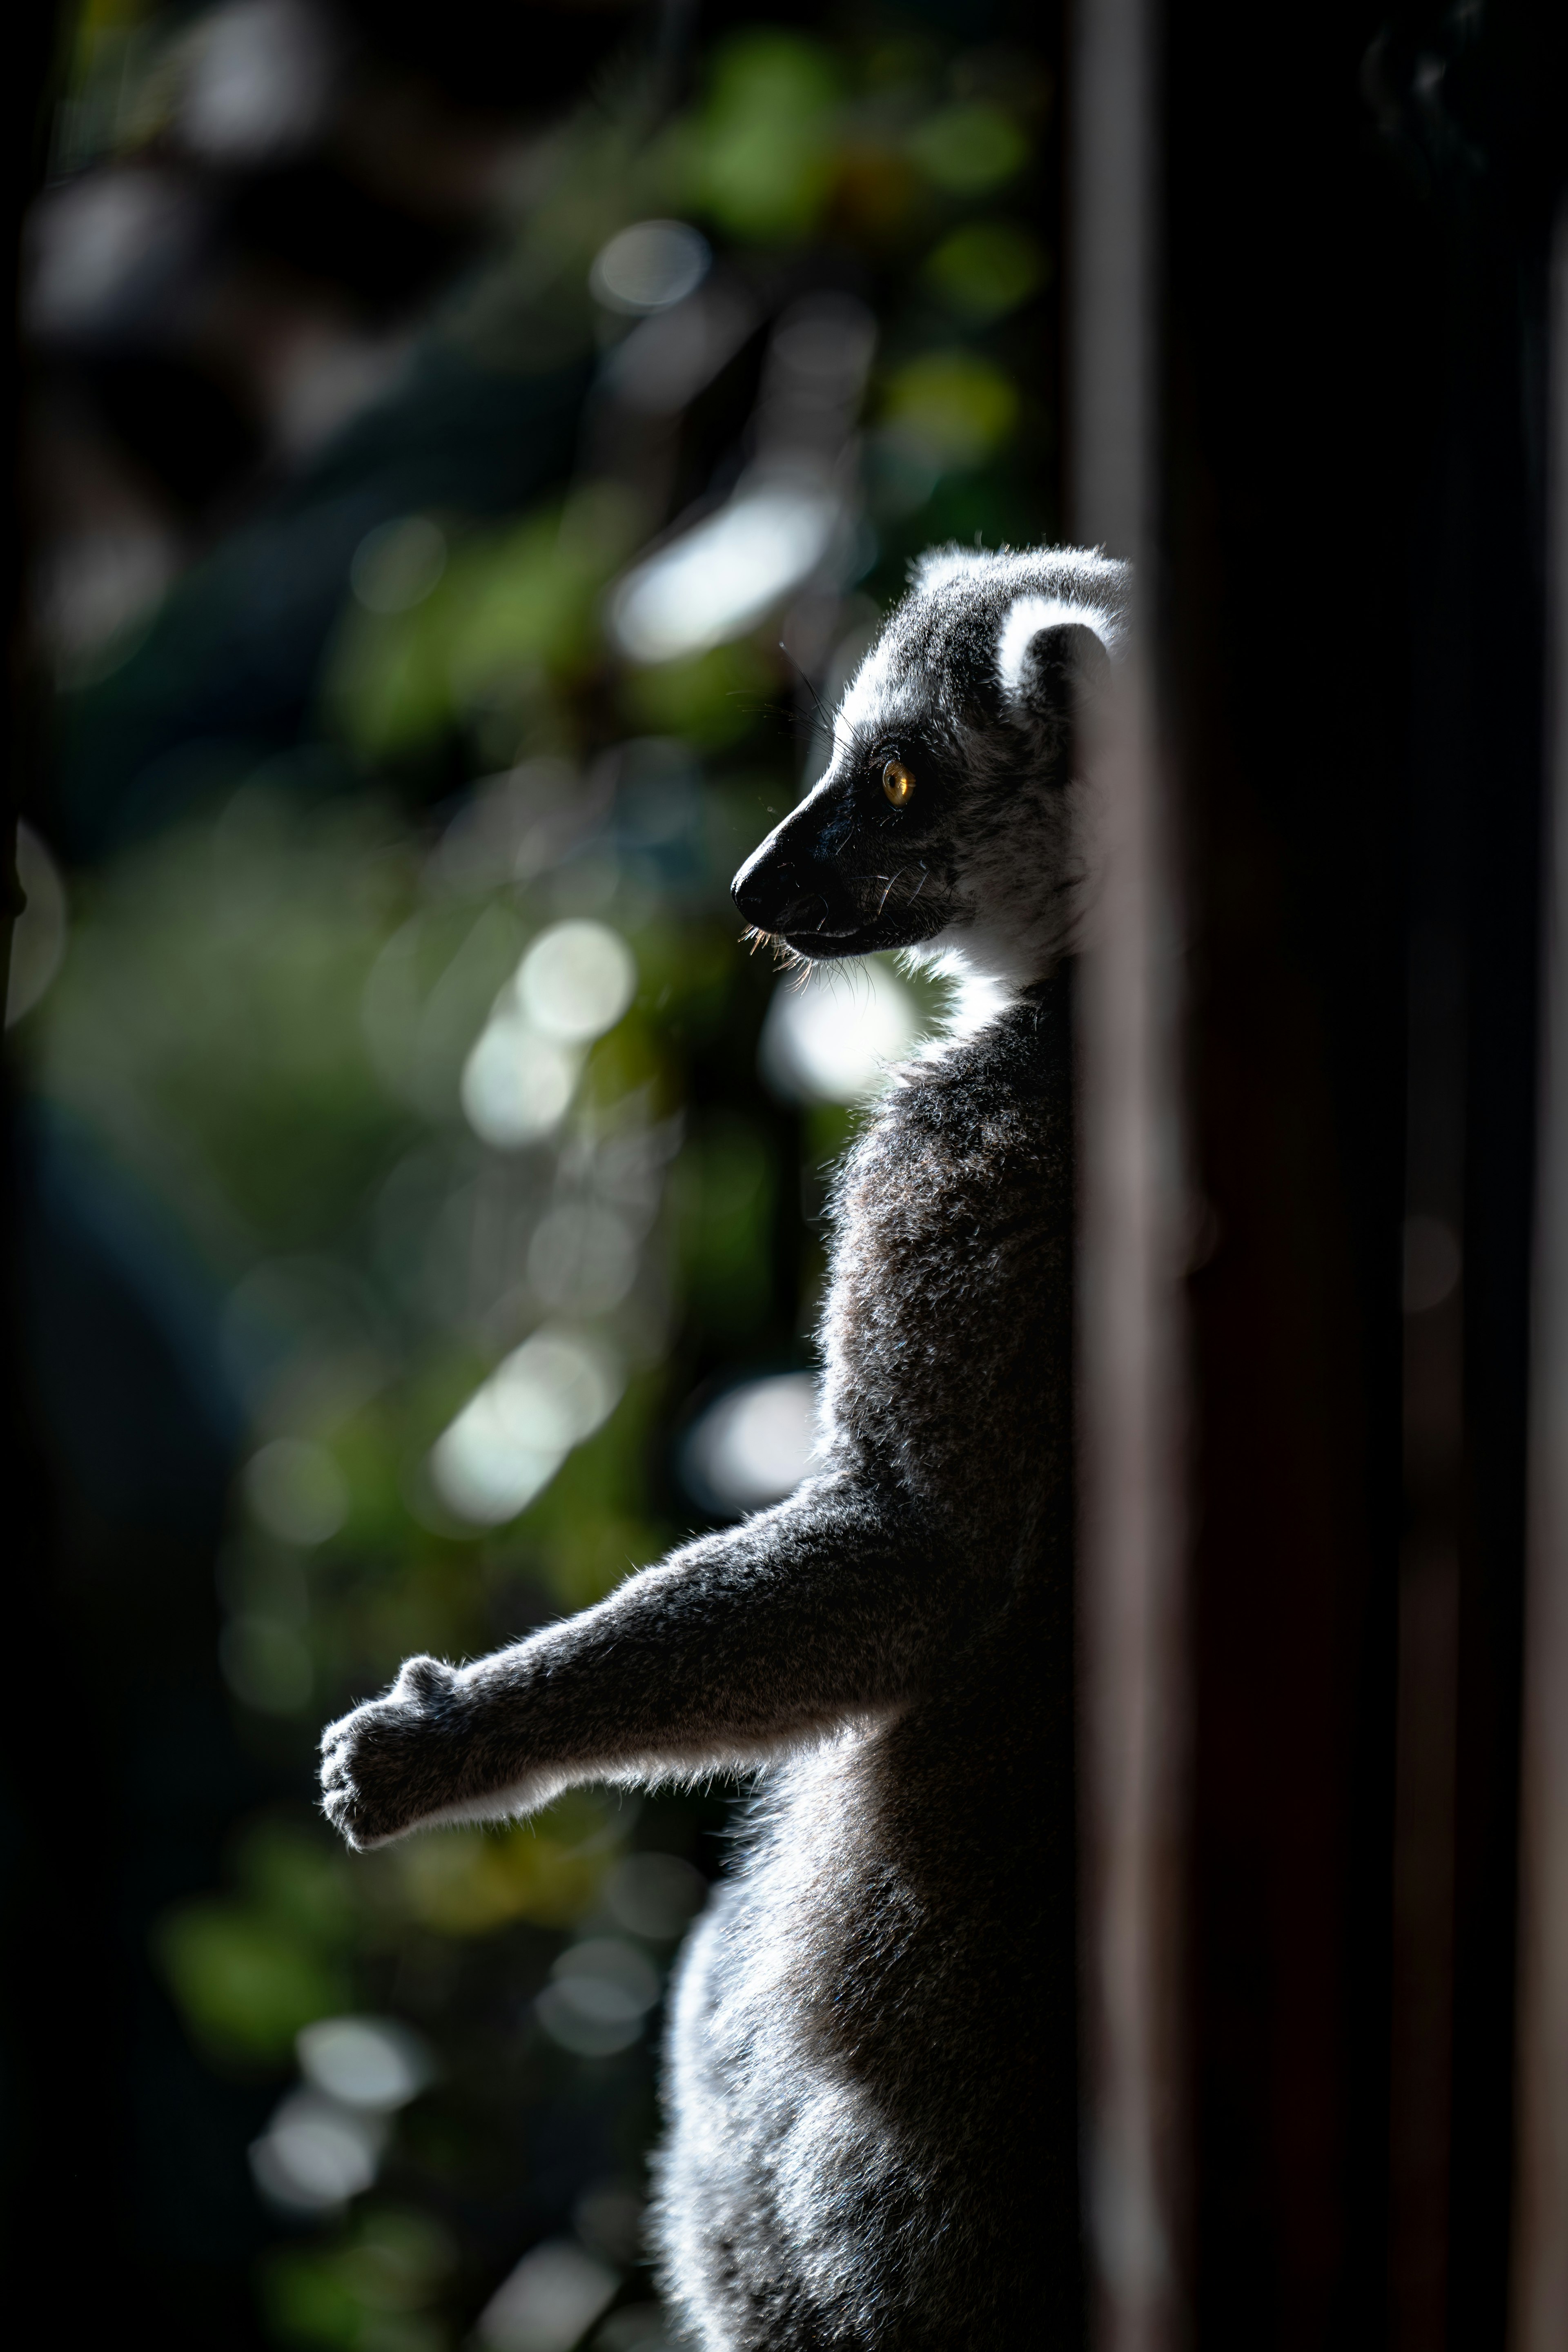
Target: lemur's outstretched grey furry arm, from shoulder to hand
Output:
{"points": [[735, 1645]]}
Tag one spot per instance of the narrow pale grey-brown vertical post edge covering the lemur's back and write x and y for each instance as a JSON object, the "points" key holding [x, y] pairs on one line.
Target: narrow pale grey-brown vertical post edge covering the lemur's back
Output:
{"points": [[1130, 1349]]}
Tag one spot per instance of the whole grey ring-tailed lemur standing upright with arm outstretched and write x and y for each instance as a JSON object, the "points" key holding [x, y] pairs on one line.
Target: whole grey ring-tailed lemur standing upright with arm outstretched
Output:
{"points": [[871, 2066]]}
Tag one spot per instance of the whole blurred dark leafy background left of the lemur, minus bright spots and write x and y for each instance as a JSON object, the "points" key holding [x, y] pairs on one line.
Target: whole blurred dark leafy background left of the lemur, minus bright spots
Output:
{"points": [[253, 787]]}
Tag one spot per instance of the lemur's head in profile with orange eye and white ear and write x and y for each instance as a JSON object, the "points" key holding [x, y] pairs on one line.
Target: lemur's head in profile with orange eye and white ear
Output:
{"points": [[949, 817]]}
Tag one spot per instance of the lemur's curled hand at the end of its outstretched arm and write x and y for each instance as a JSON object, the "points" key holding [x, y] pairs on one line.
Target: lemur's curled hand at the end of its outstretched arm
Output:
{"points": [[398, 1760]]}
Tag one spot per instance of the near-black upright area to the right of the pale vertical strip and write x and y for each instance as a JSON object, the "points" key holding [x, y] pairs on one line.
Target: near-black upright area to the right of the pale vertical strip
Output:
{"points": [[1358, 232]]}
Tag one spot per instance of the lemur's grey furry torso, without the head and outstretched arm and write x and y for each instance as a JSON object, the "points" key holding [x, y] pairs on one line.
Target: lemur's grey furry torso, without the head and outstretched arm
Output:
{"points": [[876, 2033]]}
